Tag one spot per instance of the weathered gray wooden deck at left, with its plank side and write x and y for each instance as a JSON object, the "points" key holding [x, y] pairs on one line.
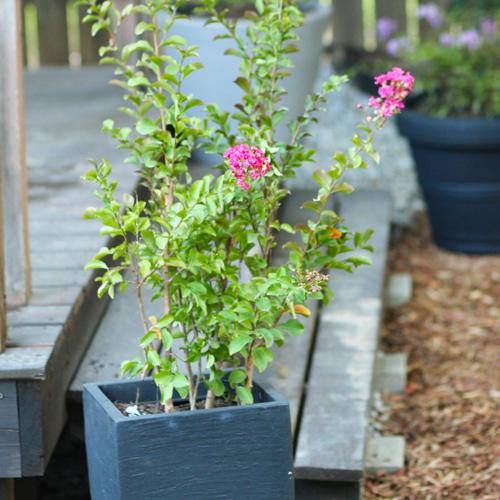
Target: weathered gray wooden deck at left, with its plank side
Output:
{"points": [[48, 337]]}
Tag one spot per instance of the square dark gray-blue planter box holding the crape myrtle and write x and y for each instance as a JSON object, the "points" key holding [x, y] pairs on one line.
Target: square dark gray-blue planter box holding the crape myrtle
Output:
{"points": [[235, 453]]}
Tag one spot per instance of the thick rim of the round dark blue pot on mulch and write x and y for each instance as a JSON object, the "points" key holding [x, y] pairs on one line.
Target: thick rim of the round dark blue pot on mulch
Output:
{"points": [[447, 133]]}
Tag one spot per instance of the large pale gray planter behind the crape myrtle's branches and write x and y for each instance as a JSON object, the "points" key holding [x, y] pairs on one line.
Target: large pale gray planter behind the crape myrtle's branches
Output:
{"points": [[215, 82]]}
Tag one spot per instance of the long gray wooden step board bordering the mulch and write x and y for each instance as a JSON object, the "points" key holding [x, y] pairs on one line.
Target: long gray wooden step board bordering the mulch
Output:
{"points": [[333, 428]]}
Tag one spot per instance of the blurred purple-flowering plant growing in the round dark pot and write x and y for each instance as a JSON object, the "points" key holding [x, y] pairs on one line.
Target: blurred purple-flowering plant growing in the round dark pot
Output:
{"points": [[457, 63]]}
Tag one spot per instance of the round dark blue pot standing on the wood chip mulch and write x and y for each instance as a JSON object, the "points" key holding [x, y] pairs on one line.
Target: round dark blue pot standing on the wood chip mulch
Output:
{"points": [[458, 165]]}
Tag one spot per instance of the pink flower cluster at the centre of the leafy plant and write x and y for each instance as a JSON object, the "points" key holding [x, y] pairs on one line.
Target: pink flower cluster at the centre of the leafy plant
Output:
{"points": [[246, 164]]}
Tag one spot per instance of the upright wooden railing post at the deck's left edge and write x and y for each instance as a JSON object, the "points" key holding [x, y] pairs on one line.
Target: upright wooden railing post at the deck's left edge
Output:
{"points": [[12, 157]]}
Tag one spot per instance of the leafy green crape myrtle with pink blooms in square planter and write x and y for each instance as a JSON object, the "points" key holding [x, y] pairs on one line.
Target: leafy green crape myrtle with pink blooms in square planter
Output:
{"points": [[189, 240]]}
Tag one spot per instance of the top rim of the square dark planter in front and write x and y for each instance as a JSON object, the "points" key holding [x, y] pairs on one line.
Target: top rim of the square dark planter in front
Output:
{"points": [[95, 389]]}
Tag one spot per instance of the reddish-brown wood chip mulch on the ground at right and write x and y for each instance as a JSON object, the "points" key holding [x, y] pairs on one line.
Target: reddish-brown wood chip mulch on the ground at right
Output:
{"points": [[450, 412]]}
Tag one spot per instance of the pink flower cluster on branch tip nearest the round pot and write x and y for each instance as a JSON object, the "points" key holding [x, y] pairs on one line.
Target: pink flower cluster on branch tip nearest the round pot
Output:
{"points": [[395, 86]]}
